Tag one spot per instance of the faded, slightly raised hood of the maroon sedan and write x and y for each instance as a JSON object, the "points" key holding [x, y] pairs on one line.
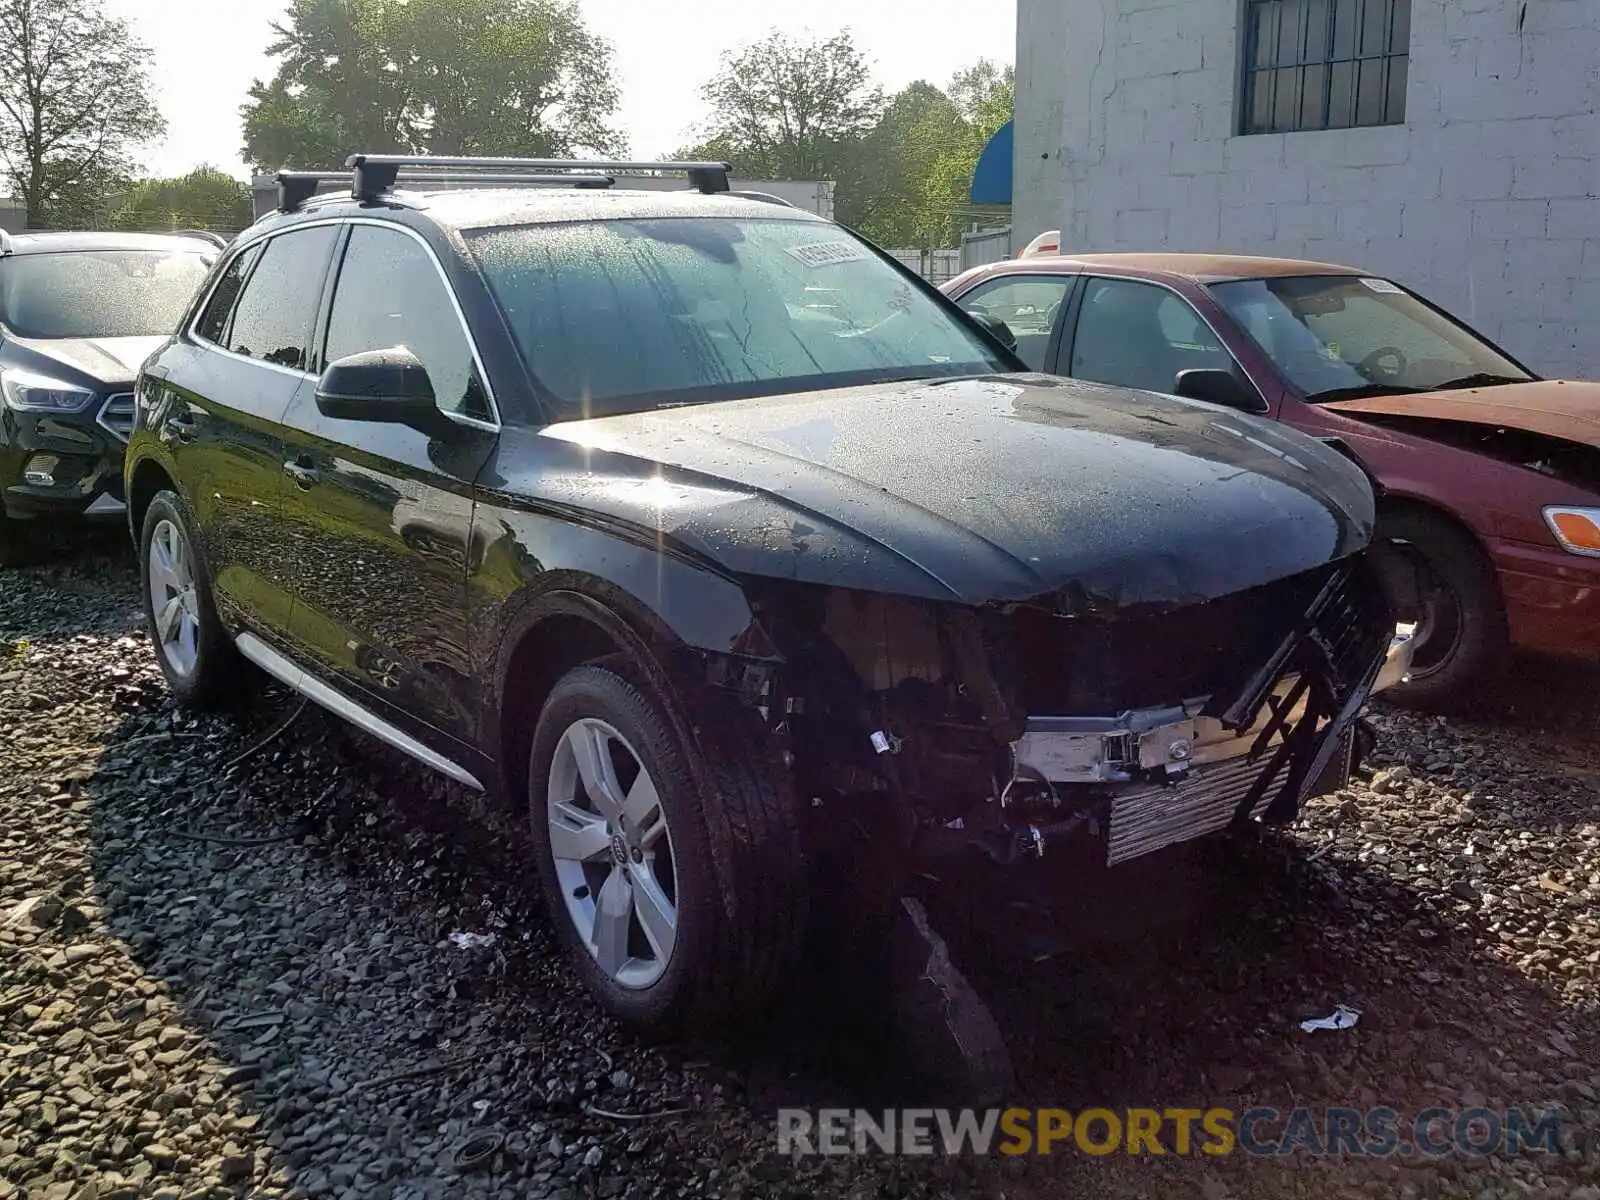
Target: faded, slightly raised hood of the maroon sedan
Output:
{"points": [[1562, 409]]}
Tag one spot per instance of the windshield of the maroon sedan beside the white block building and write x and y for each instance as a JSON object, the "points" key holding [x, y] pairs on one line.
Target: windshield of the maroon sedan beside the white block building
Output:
{"points": [[1340, 337]]}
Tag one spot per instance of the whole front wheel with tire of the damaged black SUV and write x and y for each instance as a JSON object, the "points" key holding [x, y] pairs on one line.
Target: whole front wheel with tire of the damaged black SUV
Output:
{"points": [[625, 839]]}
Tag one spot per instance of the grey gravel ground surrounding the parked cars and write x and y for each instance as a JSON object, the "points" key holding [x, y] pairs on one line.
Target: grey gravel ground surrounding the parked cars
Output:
{"points": [[228, 975]]}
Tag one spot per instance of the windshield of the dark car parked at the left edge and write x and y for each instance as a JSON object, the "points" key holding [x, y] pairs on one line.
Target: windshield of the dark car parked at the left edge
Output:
{"points": [[98, 294]]}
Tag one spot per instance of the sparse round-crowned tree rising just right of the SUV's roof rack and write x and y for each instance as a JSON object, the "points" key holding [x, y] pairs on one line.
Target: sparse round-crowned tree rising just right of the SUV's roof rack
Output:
{"points": [[786, 110]]}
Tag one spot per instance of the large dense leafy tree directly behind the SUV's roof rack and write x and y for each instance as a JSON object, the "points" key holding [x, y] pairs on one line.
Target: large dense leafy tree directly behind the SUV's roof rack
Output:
{"points": [[476, 78]]}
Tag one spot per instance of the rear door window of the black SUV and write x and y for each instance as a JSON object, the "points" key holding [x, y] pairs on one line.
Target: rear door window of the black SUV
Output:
{"points": [[273, 321]]}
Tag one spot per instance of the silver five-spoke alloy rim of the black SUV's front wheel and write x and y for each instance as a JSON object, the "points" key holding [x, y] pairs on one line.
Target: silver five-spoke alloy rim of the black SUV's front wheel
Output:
{"points": [[614, 854]]}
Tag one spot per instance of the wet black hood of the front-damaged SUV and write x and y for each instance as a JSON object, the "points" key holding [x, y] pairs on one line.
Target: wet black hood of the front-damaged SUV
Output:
{"points": [[974, 490]]}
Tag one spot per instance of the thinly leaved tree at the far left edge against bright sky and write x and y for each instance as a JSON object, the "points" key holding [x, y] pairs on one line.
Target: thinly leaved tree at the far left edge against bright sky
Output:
{"points": [[76, 100]]}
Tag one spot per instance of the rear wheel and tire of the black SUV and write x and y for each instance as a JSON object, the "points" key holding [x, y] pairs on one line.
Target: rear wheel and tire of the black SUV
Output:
{"points": [[193, 649]]}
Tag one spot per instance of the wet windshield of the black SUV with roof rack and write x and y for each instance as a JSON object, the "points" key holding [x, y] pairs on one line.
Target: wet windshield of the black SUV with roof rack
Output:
{"points": [[626, 316]]}
